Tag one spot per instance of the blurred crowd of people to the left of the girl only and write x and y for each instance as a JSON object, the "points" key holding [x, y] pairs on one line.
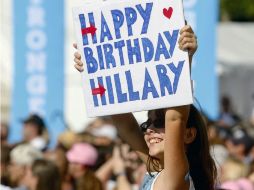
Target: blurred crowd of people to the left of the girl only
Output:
{"points": [[94, 159]]}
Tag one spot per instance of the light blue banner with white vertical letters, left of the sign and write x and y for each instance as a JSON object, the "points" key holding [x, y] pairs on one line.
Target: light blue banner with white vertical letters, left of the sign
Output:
{"points": [[38, 85]]}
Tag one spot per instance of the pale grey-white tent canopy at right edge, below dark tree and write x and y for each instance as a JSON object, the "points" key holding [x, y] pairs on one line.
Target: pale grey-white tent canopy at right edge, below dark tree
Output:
{"points": [[236, 44]]}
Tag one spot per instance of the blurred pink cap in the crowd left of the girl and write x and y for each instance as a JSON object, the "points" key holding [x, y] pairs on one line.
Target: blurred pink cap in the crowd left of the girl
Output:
{"points": [[82, 153]]}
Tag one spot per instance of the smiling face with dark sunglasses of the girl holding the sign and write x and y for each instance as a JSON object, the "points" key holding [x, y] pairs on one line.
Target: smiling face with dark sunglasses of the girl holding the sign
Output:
{"points": [[154, 135]]}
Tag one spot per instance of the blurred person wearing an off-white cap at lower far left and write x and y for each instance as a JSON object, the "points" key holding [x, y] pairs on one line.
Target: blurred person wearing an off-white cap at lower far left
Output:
{"points": [[22, 157]]}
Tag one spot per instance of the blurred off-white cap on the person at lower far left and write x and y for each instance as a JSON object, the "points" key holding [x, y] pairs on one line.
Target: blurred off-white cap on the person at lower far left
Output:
{"points": [[25, 154]]}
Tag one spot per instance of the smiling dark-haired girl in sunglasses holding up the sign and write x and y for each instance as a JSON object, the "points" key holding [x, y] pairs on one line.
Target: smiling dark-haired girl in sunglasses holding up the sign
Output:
{"points": [[174, 143]]}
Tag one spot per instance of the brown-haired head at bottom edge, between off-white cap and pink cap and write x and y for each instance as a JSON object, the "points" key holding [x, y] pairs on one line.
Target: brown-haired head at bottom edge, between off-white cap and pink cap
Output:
{"points": [[42, 175]]}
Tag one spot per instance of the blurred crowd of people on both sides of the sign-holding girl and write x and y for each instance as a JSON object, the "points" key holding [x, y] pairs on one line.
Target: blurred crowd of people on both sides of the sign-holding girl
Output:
{"points": [[99, 159]]}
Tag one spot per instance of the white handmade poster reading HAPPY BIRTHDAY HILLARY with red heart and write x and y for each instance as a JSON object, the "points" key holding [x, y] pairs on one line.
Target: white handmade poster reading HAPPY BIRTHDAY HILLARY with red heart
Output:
{"points": [[131, 57]]}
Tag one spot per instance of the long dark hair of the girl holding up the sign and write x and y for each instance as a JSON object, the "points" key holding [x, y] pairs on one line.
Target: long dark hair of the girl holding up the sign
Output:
{"points": [[202, 167]]}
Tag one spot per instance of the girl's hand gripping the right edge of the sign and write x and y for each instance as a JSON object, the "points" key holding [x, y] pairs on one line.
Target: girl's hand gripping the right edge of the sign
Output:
{"points": [[188, 40]]}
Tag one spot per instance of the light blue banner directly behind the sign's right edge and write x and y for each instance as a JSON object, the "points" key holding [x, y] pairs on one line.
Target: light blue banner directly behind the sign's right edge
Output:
{"points": [[203, 17]]}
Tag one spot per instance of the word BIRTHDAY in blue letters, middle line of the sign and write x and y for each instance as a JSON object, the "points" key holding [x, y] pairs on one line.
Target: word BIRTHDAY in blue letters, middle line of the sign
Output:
{"points": [[136, 49]]}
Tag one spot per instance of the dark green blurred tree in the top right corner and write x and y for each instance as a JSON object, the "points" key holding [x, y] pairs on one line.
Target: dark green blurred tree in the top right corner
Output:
{"points": [[237, 10]]}
